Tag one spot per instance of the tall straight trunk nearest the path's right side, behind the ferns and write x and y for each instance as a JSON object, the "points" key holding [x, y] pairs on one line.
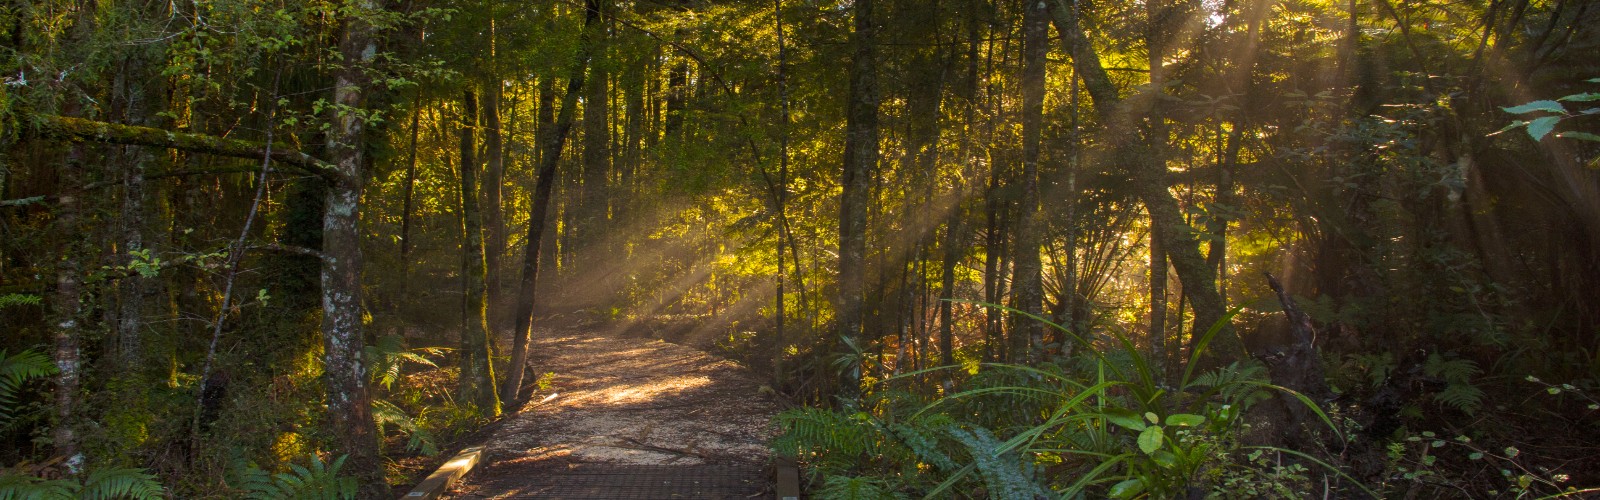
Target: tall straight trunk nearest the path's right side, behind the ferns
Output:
{"points": [[862, 158]]}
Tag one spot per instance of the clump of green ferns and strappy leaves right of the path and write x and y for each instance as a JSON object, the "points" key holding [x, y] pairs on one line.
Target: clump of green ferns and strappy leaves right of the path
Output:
{"points": [[1100, 425]]}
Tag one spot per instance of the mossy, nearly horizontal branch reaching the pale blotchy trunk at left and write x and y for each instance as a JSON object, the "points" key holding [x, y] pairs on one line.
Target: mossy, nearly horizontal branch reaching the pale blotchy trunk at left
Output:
{"points": [[70, 129]]}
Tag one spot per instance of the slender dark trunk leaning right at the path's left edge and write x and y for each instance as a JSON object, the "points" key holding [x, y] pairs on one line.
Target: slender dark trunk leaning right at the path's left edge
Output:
{"points": [[551, 143]]}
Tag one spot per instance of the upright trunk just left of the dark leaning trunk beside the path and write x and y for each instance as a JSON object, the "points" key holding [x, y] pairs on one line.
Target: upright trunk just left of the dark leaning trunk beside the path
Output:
{"points": [[478, 376]]}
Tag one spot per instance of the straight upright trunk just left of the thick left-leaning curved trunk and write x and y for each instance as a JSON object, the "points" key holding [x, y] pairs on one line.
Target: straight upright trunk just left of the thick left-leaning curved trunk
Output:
{"points": [[1028, 273]]}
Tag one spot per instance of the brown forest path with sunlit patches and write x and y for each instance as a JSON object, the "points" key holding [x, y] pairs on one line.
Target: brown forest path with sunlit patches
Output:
{"points": [[631, 419]]}
